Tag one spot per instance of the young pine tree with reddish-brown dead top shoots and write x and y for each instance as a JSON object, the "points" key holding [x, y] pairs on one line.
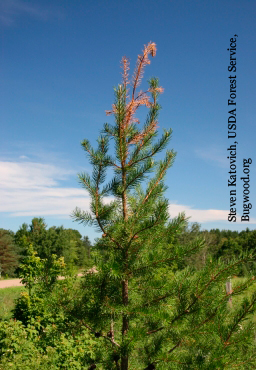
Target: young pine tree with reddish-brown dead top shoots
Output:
{"points": [[151, 314]]}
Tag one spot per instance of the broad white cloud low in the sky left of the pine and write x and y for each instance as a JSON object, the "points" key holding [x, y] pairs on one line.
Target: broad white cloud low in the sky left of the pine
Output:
{"points": [[31, 189]]}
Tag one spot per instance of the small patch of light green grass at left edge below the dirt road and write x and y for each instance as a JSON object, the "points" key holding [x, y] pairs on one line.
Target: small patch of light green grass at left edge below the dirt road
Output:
{"points": [[7, 300]]}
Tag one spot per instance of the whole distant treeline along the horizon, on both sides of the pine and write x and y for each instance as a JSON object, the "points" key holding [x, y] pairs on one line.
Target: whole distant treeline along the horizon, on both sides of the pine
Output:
{"points": [[76, 250]]}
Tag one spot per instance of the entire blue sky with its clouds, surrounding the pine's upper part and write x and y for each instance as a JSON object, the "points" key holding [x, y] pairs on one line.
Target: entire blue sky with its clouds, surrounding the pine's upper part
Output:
{"points": [[60, 61]]}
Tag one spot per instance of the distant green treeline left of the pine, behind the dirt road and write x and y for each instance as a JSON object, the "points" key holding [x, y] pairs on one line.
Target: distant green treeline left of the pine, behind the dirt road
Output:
{"points": [[68, 243]]}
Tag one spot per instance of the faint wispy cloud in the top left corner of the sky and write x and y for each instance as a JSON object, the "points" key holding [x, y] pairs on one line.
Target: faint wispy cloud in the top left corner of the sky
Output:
{"points": [[11, 10]]}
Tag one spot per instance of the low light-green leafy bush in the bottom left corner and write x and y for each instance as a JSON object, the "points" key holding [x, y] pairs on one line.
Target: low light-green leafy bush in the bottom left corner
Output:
{"points": [[20, 348]]}
